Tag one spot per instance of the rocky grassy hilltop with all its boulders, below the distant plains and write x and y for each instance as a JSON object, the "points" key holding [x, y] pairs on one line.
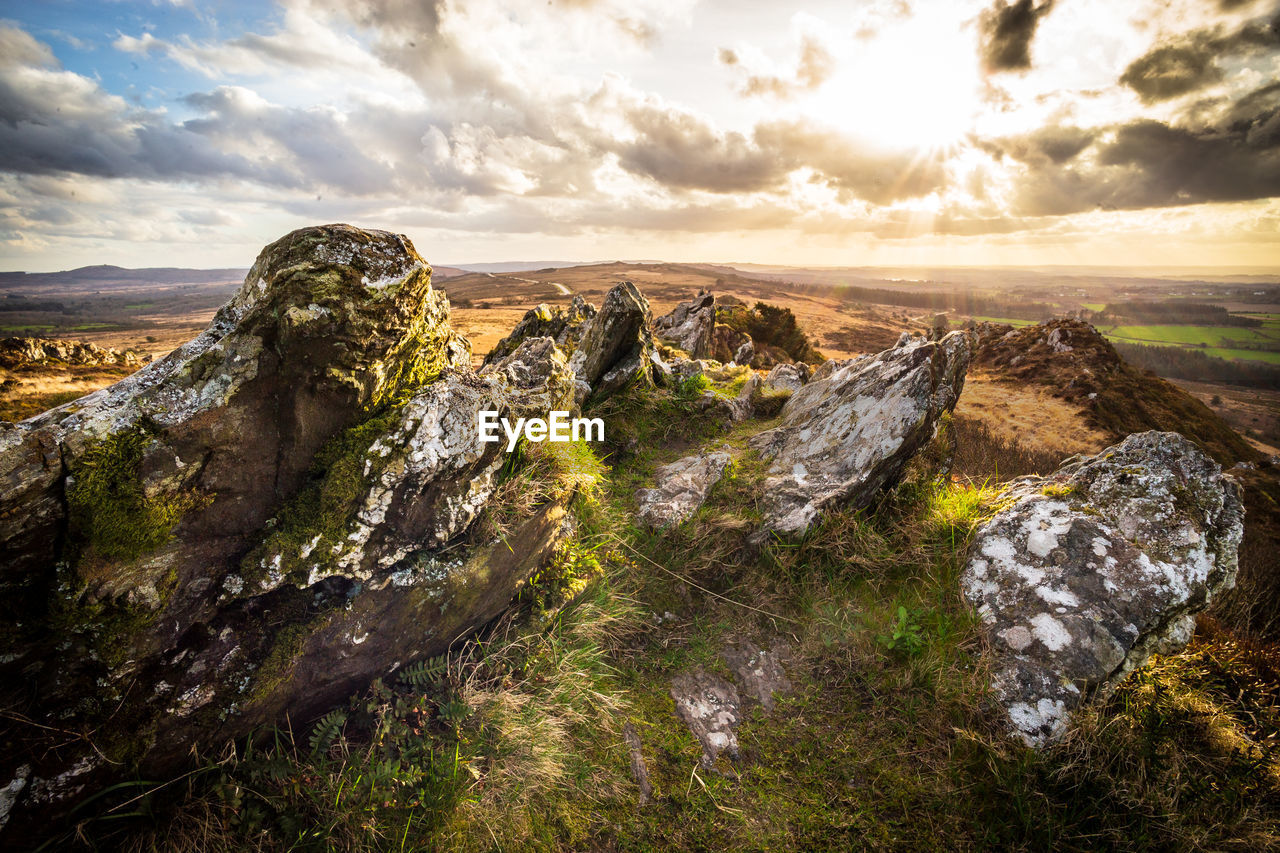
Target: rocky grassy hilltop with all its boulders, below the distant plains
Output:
{"points": [[740, 622]]}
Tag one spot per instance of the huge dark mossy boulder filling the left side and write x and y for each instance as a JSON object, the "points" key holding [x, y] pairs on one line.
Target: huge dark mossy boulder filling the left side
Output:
{"points": [[259, 523]]}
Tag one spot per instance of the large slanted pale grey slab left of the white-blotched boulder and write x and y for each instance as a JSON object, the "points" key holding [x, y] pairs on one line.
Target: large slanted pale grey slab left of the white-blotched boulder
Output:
{"points": [[847, 437]]}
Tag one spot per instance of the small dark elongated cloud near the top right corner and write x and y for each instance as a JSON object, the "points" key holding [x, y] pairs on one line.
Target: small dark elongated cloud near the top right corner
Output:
{"points": [[1190, 63]]}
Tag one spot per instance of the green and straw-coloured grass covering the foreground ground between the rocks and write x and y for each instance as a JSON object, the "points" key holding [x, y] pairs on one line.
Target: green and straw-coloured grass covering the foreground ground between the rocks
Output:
{"points": [[886, 741]]}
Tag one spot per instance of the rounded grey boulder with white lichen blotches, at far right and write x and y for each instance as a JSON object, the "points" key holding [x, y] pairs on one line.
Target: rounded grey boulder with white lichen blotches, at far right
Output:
{"points": [[1096, 568]]}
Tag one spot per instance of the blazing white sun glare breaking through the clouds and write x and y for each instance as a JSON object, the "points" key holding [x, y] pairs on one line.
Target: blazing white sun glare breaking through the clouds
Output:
{"points": [[909, 88]]}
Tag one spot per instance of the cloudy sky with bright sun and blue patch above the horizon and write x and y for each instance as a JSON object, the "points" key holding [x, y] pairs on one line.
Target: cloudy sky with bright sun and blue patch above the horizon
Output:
{"points": [[883, 133]]}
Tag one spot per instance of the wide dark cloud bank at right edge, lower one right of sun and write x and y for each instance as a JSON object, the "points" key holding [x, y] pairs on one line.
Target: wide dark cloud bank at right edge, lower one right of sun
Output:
{"points": [[1153, 165]]}
